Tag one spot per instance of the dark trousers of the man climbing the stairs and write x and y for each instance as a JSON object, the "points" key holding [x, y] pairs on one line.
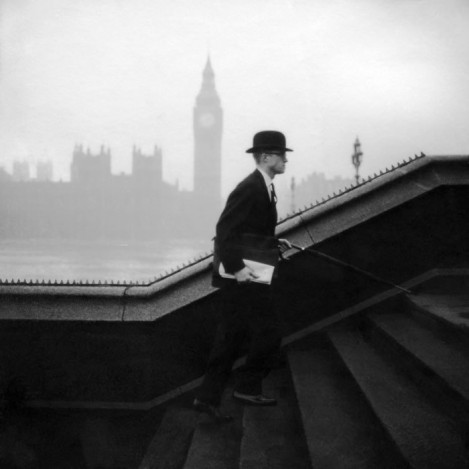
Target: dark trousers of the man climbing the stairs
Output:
{"points": [[248, 315]]}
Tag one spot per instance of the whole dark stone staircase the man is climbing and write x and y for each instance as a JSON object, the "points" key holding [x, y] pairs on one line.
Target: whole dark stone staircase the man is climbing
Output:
{"points": [[387, 389]]}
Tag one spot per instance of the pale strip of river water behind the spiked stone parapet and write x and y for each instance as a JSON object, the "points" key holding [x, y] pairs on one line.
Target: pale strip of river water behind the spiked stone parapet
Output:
{"points": [[98, 260]]}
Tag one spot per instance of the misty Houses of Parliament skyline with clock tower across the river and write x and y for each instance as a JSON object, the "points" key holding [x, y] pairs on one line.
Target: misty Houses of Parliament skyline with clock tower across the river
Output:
{"points": [[97, 204]]}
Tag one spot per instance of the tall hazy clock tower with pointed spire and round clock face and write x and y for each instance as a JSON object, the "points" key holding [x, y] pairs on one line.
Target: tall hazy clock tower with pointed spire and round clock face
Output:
{"points": [[208, 124]]}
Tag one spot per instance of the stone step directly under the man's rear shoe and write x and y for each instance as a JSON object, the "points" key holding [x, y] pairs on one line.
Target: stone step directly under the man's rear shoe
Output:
{"points": [[214, 445]]}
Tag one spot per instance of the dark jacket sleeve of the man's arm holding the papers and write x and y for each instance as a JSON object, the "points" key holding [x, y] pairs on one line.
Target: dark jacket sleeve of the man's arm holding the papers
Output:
{"points": [[230, 227]]}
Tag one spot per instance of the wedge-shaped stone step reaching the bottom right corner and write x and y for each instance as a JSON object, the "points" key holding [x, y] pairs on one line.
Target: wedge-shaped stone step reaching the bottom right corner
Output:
{"points": [[426, 438]]}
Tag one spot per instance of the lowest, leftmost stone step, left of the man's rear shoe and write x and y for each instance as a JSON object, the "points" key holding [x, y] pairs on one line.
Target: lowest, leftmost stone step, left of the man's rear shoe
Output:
{"points": [[168, 448]]}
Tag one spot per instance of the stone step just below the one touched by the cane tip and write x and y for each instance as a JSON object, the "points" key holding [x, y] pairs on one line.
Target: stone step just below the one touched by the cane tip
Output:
{"points": [[440, 358]]}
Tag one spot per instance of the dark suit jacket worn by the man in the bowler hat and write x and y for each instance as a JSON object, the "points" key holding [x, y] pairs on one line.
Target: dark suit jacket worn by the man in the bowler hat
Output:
{"points": [[250, 215]]}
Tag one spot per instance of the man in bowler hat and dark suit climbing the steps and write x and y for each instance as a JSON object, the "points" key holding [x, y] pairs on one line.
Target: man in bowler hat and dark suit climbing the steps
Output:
{"points": [[247, 223]]}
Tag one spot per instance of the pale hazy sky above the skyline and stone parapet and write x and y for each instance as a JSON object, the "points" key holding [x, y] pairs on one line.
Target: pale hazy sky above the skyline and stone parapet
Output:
{"points": [[121, 72]]}
